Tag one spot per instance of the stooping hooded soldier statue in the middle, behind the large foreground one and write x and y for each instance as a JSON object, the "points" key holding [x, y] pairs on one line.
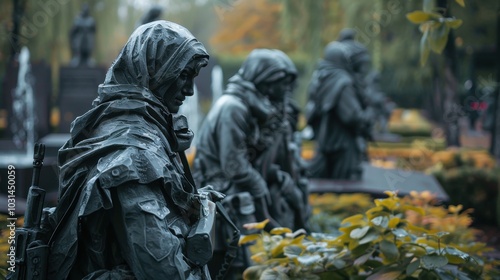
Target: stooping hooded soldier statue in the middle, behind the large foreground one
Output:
{"points": [[232, 151]]}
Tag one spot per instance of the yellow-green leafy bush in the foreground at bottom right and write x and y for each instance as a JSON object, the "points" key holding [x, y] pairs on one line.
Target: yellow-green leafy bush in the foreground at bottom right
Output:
{"points": [[381, 243]]}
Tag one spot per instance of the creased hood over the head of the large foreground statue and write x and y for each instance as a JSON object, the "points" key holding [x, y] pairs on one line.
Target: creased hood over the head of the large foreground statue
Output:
{"points": [[153, 57]]}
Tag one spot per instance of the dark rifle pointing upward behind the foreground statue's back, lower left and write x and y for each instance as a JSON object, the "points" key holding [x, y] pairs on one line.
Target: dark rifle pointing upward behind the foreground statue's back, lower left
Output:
{"points": [[31, 251]]}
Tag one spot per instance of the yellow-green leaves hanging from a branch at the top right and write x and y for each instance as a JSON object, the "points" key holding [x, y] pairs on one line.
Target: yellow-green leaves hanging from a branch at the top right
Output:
{"points": [[435, 28]]}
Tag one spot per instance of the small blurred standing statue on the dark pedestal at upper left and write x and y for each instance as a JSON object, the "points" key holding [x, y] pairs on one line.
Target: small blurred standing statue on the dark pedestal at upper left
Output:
{"points": [[82, 37]]}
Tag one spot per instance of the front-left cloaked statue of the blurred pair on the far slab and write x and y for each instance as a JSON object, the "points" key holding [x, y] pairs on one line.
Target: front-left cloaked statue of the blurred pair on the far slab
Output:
{"points": [[337, 115]]}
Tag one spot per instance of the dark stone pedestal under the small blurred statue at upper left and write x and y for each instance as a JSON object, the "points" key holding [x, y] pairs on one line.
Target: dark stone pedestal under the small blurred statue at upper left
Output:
{"points": [[77, 90]]}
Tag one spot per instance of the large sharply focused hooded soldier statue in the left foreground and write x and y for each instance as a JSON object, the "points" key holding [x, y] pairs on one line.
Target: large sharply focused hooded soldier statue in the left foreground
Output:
{"points": [[126, 205]]}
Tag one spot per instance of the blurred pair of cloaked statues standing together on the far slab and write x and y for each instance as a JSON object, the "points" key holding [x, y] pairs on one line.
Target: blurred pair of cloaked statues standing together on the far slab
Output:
{"points": [[343, 106]]}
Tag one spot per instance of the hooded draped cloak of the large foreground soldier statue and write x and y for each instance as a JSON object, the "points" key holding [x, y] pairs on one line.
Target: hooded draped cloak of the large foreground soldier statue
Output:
{"points": [[127, 137]]}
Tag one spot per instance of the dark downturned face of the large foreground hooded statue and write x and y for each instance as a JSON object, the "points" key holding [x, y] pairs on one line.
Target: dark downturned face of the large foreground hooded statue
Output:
{"points": [[174, 96]]}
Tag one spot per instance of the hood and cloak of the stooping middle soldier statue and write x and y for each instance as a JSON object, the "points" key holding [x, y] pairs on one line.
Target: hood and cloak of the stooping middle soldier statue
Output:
{"points": [[227, 139]]}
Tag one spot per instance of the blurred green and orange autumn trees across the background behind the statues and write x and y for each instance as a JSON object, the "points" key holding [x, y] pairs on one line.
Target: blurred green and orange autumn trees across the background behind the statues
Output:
{"points": [[231, 28]]}
